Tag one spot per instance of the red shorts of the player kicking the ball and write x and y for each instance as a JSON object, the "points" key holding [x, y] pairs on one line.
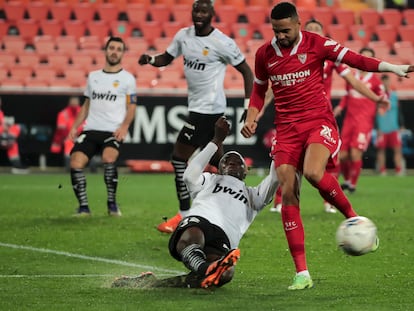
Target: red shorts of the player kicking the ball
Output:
{"points": [[293, 139]]}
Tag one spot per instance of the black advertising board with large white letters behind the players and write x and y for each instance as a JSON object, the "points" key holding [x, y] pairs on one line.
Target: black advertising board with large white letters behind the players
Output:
{"points": [[157, 123]]}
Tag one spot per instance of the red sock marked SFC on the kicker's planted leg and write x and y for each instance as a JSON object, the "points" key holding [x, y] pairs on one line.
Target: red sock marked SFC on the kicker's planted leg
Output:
{"points": [[292, 224]]}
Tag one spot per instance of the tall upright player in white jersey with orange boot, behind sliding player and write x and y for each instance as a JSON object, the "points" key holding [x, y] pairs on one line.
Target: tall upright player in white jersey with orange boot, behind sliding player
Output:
{"points": [[206, 52]]}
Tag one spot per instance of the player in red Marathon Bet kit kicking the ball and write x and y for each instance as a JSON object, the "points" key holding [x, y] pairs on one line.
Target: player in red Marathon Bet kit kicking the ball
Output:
{"points": [[307, 133]]}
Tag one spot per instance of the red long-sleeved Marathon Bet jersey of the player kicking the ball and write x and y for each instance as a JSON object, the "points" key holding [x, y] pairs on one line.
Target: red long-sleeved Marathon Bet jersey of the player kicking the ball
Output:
{"points": [[296, 75]]}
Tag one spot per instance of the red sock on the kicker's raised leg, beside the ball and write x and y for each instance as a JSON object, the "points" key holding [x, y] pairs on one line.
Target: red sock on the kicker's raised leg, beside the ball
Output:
{"points": [[331, 191]]}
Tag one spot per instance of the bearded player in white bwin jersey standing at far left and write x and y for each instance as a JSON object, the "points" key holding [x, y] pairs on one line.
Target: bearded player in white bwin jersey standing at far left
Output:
{"points": [[109, 109]]}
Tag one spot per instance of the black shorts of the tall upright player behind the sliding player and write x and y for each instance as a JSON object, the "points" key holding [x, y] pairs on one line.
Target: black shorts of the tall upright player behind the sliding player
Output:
{"points": [[198, 129]]}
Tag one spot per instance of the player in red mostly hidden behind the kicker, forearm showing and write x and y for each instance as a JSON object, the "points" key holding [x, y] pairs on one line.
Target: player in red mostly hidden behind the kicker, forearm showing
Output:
{"points": [[344, 72]]}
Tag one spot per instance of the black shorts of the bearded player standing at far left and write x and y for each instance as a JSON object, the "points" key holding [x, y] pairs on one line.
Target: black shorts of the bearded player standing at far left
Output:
{"points": [[93, 142]]}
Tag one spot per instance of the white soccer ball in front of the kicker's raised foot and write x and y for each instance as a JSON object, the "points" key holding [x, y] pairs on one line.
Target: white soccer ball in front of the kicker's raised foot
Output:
{"points": [[357, 236]]}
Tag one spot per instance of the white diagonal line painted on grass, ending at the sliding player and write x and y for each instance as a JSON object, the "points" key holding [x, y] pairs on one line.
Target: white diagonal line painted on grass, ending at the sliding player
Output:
{"points": [[92, 258]]}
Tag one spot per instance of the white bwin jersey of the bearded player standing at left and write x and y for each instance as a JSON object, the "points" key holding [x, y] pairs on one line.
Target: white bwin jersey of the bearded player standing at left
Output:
{"points": [[109, 95]]}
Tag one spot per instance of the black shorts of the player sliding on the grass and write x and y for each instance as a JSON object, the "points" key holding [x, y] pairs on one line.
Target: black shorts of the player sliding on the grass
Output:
{"points": [[216, 241]]}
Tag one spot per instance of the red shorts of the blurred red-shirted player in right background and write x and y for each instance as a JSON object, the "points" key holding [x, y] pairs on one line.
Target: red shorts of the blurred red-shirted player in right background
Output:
{"points": [[355, 137]]}
